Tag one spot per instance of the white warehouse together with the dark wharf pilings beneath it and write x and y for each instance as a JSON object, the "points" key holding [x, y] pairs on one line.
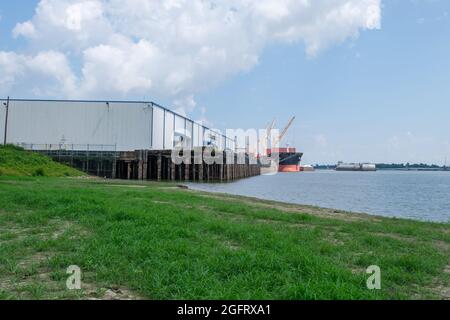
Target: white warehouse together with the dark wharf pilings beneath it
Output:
{"points": [[132, 140]]}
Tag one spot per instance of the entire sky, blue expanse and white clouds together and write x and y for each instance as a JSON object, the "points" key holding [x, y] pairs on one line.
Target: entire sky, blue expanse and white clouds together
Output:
{"points": [[366, 79]]}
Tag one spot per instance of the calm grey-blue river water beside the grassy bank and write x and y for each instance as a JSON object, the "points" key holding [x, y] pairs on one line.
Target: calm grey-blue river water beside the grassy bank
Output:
{"points": [[403, 194]]}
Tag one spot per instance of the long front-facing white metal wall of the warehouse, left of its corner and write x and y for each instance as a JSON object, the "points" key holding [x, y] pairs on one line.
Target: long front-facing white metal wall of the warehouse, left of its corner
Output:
{"points": [[125, 125]]}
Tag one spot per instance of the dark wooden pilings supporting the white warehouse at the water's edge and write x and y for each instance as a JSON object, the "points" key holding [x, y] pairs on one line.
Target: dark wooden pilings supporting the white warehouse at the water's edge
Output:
{"points": [[158, 165]]}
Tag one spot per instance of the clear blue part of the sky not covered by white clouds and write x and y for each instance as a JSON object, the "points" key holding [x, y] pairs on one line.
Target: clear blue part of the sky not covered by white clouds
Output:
{"points": [[383, 96]]}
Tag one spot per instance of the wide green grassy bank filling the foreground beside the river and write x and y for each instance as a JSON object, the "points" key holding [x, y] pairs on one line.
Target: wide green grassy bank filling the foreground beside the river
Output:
{"points": [[156, 241]]}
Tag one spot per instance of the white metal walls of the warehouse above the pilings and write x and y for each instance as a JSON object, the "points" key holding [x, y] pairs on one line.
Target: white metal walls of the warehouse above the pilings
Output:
{"points": [[128, 126]]}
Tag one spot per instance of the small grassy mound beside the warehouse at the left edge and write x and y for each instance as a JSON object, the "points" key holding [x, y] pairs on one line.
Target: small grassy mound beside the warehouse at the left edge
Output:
{"points": [[15, 161]]}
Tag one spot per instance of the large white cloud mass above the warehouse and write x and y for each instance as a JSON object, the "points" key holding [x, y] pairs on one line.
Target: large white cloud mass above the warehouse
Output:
{"points": [[171, 48]]}
